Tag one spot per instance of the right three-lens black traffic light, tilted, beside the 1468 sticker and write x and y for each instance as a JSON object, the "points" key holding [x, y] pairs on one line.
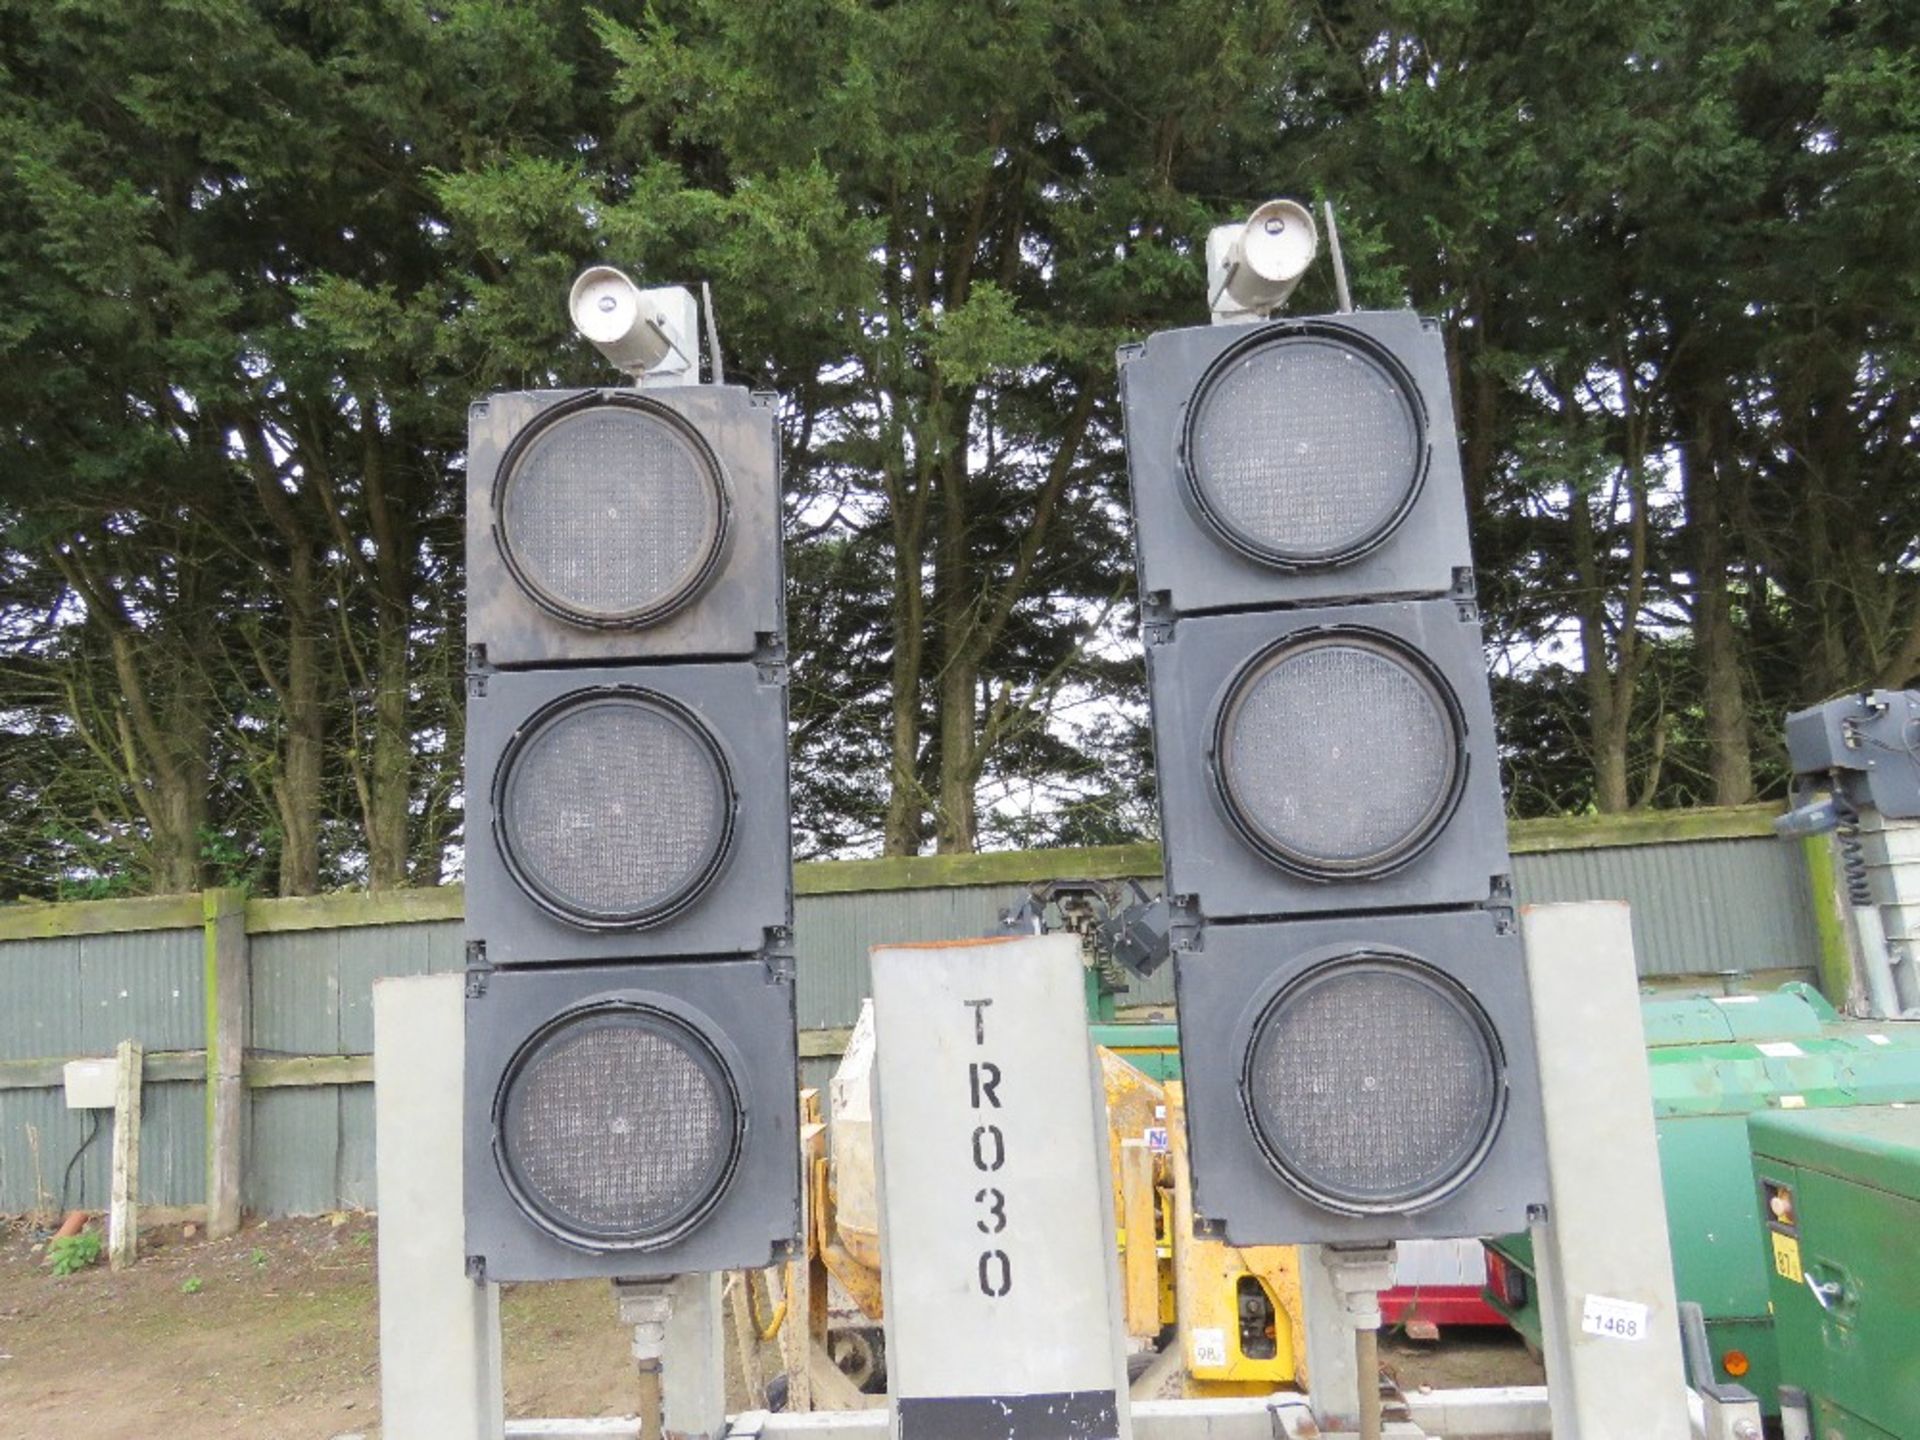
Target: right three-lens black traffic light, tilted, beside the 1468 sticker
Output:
{"points": [[1330, 788]]}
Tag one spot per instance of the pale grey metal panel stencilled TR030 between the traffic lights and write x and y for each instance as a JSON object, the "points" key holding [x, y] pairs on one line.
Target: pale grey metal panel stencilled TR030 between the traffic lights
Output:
{"points": [[996, 1199]]}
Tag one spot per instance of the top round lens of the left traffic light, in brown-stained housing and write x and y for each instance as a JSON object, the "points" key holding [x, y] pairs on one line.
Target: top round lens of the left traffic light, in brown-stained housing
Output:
{"points": [[612, 516]]}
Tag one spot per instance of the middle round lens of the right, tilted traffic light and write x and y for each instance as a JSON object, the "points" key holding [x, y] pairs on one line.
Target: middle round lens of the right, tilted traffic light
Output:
{"points": [[1341, 754]]}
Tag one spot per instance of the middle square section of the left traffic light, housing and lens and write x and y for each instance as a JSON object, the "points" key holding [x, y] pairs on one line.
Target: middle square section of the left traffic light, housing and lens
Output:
{"points": [[621, 813]]}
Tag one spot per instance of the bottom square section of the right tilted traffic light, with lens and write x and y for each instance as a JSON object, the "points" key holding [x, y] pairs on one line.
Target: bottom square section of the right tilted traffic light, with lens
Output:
{"points": [[1362, 1080]]}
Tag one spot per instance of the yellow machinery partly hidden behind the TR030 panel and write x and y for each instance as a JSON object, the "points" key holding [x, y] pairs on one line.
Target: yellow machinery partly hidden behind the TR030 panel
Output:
{"points": [[1236, 1312]]}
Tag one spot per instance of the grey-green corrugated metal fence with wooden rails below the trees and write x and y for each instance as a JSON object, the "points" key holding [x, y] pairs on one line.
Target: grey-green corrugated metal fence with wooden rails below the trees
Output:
{"points": [[1712, 892]]}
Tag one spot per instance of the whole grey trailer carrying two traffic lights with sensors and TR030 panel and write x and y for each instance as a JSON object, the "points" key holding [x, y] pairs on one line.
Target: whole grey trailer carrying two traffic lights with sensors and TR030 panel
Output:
{"points": [[1376, 1045]]}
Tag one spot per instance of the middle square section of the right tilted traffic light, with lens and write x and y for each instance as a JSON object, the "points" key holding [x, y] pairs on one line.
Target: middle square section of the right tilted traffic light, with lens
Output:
{"points": [[1328, 759]]}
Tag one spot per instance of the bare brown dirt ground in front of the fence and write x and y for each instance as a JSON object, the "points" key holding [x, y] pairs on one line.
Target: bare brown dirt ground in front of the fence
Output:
{"points": [[274, 1335]]}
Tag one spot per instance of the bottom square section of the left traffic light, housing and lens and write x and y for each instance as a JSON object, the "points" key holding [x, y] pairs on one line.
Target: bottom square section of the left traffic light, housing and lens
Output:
{"points": [[631, 1120]]}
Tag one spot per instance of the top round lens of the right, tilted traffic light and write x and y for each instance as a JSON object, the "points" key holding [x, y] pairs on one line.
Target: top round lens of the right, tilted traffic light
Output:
{"points": [[1305, 450]]}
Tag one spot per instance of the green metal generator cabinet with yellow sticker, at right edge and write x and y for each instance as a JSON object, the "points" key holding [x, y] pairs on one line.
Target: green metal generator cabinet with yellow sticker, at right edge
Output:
{"points": [[1840, 1195]]}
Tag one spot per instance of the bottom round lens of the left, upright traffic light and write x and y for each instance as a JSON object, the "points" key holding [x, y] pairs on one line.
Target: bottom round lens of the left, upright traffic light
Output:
{"points": [[617, 1128]]}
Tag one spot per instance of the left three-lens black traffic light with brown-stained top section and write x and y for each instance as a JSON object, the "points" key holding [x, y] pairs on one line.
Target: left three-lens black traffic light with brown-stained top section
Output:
{"points": [[631, 1101]]}
